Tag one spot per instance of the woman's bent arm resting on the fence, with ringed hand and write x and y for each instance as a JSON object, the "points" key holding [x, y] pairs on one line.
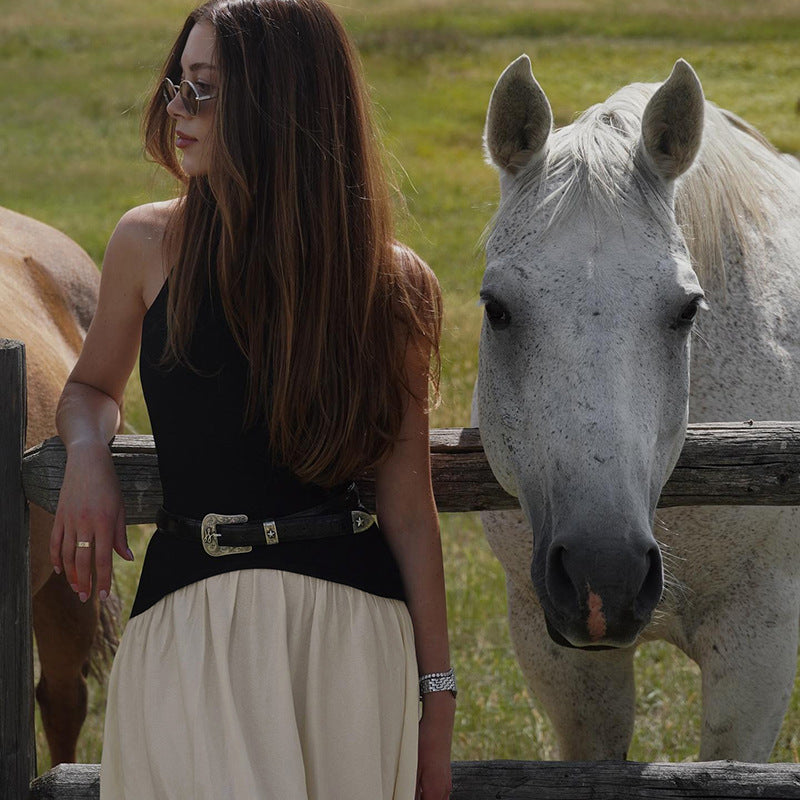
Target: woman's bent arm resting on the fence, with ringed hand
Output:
{"points": [[90, 504]]}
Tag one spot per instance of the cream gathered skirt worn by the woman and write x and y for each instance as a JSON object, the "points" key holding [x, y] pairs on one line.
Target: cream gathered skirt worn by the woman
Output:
{"points": [[263, 685]]}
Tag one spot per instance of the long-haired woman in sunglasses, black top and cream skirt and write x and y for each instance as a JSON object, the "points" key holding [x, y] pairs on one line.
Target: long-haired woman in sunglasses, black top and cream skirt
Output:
{"points": [[286, 346]]}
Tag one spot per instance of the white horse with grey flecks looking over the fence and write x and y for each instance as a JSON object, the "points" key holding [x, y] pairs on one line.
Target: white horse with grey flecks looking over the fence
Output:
{"points": [[654, 214]]}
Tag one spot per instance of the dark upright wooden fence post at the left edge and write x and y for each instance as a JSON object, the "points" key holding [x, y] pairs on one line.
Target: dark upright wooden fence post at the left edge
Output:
{"points": [[17, 742]]}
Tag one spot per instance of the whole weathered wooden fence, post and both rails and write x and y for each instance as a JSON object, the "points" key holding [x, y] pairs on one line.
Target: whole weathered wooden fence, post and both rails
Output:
{"points": [[752, 463]]}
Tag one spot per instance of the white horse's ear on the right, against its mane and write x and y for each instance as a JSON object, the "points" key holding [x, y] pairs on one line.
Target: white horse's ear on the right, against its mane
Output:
{"points": [[672, 123]]}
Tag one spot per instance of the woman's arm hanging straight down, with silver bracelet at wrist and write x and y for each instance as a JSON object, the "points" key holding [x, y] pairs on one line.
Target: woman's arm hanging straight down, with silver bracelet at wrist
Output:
{"points": [[407, 515]]}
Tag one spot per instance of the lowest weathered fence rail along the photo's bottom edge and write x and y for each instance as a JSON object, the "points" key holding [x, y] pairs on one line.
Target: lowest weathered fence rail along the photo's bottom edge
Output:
{"points": [[544, 780]]}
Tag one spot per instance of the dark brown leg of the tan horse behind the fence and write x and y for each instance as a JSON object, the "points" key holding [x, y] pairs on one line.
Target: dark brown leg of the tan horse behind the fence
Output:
{"points": [[65, 630]]}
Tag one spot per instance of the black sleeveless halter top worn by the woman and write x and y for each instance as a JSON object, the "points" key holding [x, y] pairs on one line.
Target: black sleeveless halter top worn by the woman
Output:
{"points": [[209, 462]]}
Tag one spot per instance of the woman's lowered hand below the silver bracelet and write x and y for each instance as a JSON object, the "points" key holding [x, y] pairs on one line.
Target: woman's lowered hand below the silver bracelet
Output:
{"points": [[434, 781]]}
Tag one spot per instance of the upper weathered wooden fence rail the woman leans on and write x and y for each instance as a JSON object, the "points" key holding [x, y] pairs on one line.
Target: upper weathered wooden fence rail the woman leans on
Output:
{"points": [[750, 463]]}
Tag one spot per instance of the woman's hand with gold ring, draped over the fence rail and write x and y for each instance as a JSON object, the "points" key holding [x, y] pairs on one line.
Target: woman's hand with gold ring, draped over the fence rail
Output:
{"points": [[90, 509]]}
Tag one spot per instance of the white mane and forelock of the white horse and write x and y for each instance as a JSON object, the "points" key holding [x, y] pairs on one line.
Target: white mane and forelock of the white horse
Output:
{"points": [[597, 160]]}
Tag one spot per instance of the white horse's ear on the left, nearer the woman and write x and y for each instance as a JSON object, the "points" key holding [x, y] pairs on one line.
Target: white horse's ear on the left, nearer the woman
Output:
{"points": [[519, 119]]}
